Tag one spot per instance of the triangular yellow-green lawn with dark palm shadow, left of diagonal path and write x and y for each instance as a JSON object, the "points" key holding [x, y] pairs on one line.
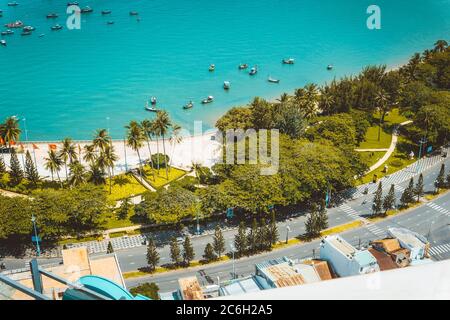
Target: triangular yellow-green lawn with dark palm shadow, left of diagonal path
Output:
{"points": [[124, 186]]}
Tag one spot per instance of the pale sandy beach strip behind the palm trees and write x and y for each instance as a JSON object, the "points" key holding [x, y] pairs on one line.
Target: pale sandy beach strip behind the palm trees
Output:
{"points": [[200, 148]]}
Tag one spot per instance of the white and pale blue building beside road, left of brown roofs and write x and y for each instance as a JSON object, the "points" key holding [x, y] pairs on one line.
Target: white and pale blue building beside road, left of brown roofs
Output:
{"points": [[346, 260]]}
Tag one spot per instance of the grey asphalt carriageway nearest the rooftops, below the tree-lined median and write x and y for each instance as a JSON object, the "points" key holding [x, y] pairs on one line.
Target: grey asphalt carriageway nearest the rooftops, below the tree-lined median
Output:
{"points": [[423, 219]]}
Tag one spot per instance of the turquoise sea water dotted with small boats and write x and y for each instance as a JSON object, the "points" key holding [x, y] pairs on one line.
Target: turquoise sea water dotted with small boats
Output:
{"points": [[69, 83]]}
